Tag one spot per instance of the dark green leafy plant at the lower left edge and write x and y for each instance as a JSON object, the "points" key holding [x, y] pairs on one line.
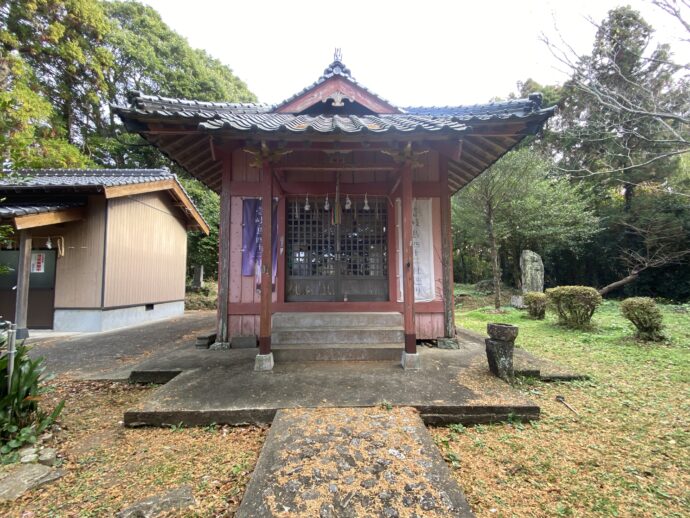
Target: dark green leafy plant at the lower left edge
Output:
{"points": [[21, 418]]}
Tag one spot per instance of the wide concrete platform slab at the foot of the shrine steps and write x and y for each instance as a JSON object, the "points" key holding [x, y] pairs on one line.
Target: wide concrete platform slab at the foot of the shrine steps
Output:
{"points": [[205, 387]]}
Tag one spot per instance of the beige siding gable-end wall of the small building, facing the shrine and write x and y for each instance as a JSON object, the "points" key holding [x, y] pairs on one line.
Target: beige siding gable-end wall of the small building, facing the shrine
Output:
{"points": [[146, 250]]}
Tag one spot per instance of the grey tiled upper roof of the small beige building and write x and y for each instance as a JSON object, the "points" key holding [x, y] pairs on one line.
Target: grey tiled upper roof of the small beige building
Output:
{"points": [[37, 178]]}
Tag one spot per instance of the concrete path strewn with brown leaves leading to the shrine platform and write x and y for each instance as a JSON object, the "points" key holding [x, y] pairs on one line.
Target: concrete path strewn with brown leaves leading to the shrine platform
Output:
{"points": [[351, 462]]}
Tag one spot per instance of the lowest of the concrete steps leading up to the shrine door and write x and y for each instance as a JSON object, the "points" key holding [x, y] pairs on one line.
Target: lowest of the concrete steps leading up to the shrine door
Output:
{"points": [[337, 352]]}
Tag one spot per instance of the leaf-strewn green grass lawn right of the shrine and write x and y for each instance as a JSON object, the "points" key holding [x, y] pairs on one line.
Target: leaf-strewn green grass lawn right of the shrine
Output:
{"points": [[626, 451]]}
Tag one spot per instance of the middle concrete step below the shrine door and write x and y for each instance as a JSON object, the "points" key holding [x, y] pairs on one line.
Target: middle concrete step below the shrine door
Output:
{"points": [[337, 335]]}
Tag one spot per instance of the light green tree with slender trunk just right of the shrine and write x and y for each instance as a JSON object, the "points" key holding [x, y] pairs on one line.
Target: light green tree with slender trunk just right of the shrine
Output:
{"points": [[517, 204]]}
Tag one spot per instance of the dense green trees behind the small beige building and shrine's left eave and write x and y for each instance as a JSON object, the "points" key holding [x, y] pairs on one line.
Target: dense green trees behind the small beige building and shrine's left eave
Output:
{"points": [[63, 63]]}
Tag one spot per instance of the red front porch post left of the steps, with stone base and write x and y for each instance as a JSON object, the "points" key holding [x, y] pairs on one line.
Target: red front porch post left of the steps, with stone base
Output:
{"points": [[264, 361]]}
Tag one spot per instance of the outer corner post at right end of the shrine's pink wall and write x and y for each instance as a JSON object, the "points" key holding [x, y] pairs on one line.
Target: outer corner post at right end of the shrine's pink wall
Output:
{"points": [[447, 252]]}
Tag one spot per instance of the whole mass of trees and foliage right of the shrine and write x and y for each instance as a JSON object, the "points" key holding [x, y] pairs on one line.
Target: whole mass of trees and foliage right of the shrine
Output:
{"points": [[630, 173]]}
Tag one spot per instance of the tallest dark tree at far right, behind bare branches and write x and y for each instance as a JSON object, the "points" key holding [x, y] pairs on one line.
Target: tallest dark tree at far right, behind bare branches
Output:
{"points": [[623, 128]]}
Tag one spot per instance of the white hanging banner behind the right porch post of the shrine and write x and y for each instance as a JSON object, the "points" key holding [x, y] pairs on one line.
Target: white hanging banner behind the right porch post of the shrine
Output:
{"points": [[422, 248]]}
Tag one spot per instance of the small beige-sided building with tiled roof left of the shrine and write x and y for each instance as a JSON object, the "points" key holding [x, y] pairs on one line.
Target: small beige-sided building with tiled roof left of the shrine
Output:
{"points": [[97, 249]]}
